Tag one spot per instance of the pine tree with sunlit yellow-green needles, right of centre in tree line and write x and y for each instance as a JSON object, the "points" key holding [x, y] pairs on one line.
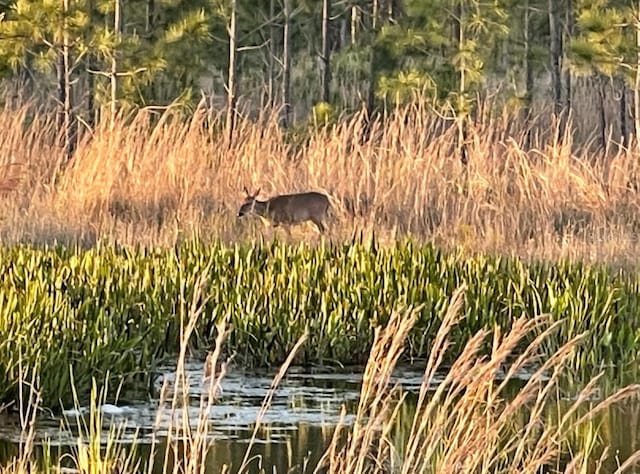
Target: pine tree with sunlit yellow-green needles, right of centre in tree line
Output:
{"points": [[418, 55]]}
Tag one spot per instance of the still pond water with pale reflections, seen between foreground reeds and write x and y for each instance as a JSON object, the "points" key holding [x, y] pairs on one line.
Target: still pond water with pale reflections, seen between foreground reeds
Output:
{"points": [[296, 429]]}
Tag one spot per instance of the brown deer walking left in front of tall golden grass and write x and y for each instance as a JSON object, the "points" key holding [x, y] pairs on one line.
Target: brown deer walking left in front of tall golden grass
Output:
{"points": [[288, 209]]}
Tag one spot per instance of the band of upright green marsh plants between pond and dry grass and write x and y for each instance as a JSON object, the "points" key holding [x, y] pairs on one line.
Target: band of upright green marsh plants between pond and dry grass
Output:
{"points": [[111, 310]]}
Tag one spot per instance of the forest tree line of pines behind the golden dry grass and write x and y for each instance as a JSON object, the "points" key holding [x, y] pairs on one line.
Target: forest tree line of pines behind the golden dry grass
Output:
{"points": [[98, 57]]}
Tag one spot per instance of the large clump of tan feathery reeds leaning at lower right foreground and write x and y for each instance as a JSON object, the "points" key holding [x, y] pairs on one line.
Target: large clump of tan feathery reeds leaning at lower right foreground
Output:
{"points": [[466, 424]]}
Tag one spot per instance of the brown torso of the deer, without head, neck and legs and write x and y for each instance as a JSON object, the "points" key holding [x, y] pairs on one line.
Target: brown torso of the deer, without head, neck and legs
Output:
{"points": [[298, 207]]}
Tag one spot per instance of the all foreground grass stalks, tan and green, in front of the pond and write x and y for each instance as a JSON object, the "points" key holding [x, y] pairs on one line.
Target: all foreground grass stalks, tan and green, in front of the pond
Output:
{"points": [[463, 423]]}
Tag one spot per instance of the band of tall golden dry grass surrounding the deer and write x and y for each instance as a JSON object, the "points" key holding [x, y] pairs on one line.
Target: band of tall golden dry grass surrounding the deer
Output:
{"points": [[155, 178]]}
